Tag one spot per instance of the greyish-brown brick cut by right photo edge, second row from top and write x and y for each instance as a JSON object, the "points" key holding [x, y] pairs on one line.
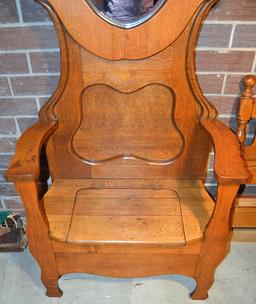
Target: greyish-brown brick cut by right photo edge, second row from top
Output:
{"points": [[245, 35]]}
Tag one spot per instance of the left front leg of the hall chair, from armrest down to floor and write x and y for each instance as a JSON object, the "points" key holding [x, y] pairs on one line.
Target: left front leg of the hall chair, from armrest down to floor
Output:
{"points": [[39, 243]]}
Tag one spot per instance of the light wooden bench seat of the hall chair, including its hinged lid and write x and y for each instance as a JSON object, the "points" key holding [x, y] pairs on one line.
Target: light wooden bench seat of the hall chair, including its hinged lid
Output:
{"points": [[170, 212]]}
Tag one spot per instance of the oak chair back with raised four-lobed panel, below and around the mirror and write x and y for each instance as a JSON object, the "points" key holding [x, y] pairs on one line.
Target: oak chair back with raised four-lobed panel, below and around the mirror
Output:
{"points": [[128, 101]]}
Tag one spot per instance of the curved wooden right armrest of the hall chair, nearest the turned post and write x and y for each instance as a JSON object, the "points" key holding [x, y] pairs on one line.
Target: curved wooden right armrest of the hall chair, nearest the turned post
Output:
{"points": [[228, 166]]}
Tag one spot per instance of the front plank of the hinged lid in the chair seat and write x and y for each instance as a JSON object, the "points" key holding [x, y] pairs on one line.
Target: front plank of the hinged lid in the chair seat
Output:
{"points": [[128, 229]]}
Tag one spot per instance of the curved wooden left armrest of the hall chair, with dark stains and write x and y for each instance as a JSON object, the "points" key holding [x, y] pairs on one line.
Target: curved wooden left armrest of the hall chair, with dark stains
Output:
{"points": [[25, 165]]}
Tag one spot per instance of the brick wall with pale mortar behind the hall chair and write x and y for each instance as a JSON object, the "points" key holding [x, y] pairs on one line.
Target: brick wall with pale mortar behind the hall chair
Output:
{"points": [[29, 70]]}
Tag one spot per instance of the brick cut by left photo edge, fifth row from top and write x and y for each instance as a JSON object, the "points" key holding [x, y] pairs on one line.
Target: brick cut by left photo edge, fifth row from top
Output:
{"points": [[18, 107]]}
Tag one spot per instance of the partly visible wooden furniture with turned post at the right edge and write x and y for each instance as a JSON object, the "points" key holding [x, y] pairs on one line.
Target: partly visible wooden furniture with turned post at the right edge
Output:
{"points": [[245, 209]]}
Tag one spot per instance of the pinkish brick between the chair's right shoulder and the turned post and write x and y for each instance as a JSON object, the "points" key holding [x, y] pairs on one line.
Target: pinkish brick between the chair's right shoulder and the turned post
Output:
{"points": [[223, 104]]}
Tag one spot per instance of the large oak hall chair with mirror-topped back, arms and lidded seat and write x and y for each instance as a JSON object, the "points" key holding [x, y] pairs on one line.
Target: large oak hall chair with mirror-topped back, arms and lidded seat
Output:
{"points": [[127, 136]]}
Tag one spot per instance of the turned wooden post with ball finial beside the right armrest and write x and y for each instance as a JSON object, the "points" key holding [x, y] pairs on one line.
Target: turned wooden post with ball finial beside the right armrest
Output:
{"points": [[245, 107]]}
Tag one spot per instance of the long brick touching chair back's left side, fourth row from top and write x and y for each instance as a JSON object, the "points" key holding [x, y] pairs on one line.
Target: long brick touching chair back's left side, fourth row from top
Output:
{"points": [[29, 85]]}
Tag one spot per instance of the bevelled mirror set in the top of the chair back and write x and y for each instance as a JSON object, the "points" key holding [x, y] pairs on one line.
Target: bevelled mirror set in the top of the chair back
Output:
{"points": [[125, 13]]}
